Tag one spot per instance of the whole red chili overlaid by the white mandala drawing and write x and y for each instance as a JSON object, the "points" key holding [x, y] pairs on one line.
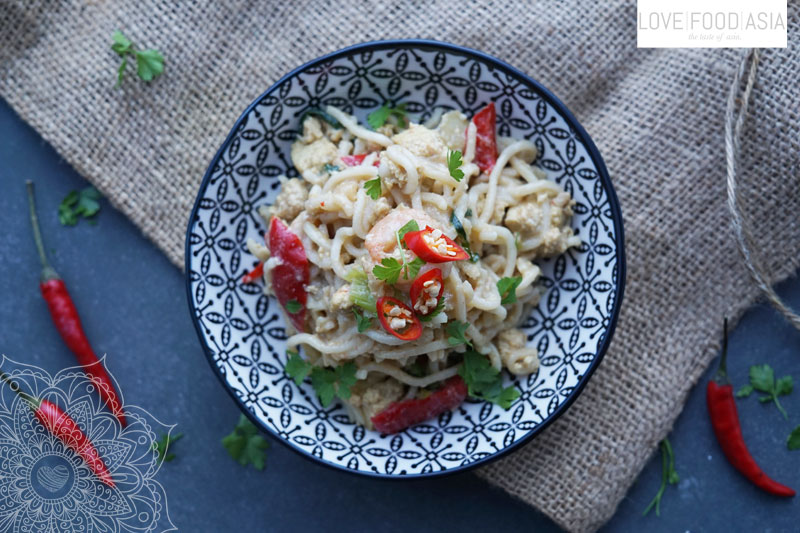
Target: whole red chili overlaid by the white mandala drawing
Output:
{"points": [[65, 429]]}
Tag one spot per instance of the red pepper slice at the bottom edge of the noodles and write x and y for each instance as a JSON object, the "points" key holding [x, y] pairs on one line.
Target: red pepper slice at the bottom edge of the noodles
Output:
{"points": [[401, 415]]}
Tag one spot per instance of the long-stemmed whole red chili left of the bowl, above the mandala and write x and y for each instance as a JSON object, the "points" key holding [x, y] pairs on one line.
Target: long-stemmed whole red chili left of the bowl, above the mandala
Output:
{"points": [[68, 323]]}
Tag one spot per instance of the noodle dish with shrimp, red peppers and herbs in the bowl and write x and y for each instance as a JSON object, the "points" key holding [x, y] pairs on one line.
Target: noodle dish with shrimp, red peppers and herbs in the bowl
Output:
{"points": [[404, 258]]}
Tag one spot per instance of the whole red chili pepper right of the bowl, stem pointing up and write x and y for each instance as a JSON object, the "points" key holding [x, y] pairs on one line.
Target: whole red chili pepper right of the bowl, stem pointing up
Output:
{"points": [[725, 421]]}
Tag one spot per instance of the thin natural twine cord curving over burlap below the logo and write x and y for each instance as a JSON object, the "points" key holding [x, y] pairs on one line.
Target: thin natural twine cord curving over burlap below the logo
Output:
{"points": [[733, 130]]}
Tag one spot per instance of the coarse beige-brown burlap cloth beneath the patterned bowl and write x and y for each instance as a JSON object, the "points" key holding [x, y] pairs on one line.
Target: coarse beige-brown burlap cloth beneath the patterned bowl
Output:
{"points": [[656, 115]]}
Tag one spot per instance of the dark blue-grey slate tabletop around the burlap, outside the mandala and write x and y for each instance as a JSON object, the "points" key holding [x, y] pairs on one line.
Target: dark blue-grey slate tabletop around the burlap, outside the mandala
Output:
{"points": [[133, 306]]}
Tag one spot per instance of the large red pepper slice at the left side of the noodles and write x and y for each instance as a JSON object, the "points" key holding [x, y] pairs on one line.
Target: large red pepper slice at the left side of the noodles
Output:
{"points": [[291, 275]]}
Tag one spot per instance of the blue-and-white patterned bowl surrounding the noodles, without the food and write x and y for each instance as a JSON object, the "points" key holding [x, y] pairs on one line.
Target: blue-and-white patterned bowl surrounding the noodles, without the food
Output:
{"points": [[243, 332]]}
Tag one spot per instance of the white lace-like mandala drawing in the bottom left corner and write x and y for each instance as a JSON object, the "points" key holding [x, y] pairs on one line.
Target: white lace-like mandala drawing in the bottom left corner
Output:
{"points": [[45, 486]]}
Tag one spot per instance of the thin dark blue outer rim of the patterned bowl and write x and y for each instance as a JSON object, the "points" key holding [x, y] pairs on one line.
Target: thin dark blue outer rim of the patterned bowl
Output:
{"points": [[594, 154]]}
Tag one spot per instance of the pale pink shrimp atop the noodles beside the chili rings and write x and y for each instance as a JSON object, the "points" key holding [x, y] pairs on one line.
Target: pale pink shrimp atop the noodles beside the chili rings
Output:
{"points": [[381, 240]]}
